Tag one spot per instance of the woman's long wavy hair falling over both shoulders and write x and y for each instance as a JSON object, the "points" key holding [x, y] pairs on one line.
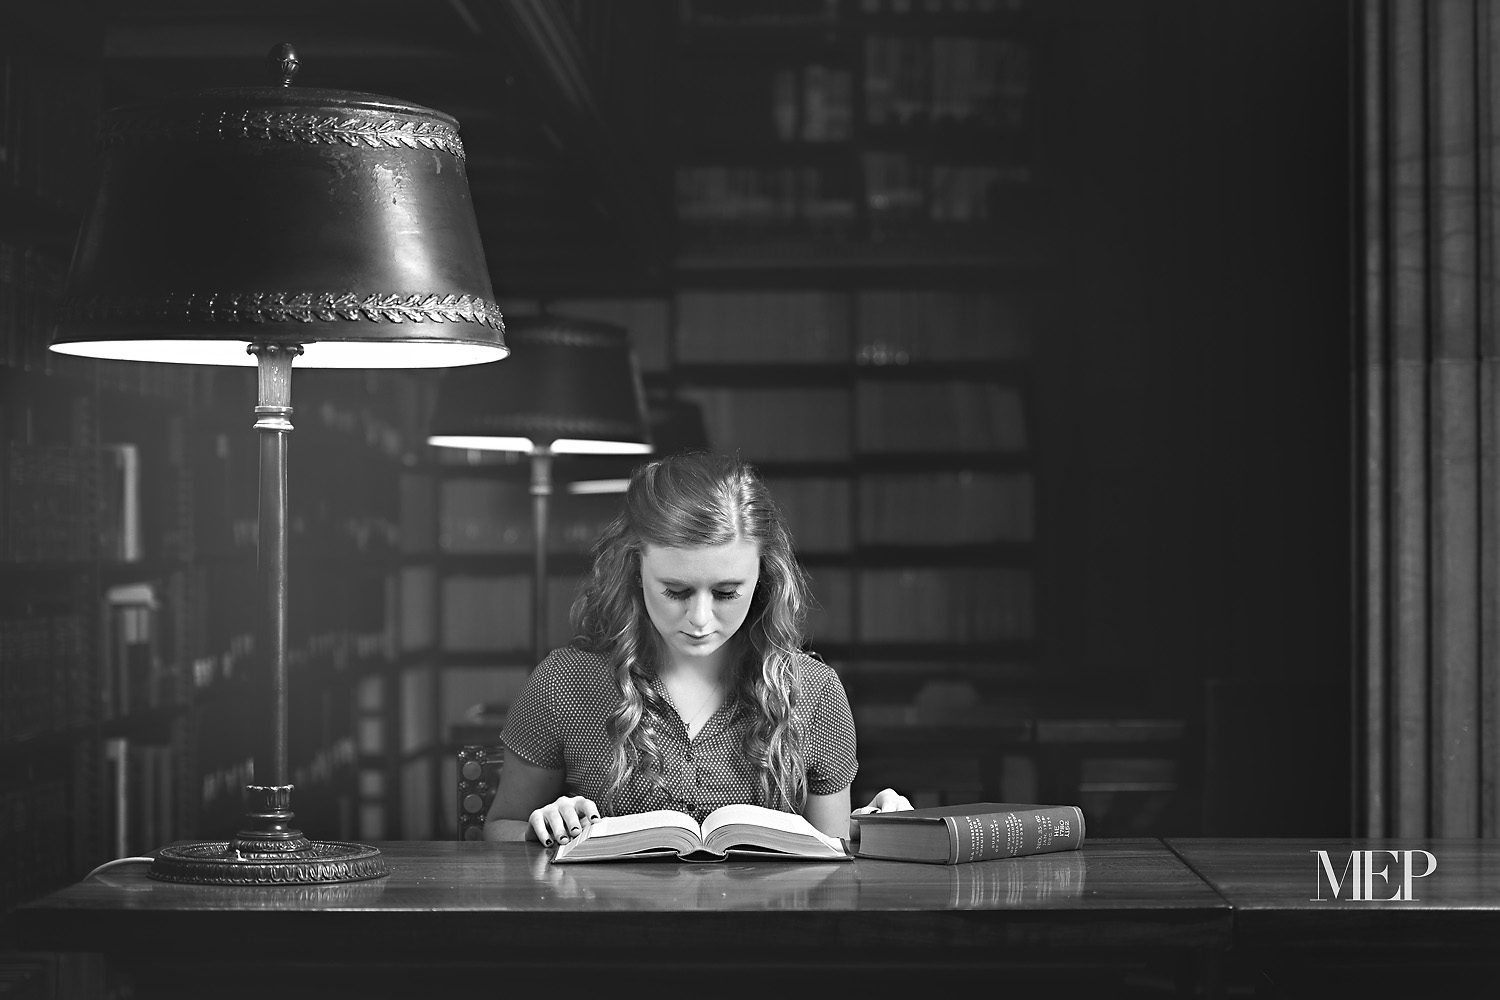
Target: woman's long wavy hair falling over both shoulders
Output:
{"points": [[686, 501]]}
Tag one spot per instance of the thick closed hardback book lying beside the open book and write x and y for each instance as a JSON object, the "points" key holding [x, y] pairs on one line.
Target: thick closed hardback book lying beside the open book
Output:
{"points": [[977, 831]]}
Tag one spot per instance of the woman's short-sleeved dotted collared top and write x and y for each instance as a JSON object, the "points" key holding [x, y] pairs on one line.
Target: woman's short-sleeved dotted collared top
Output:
{"points": [[560, 723]]}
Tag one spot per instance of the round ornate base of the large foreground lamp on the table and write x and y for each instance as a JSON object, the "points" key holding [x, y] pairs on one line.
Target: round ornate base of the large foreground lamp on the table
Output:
{"points": [[269, 854]]}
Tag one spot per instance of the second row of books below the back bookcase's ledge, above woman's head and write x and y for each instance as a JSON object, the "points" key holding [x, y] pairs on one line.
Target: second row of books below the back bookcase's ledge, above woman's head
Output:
{"points": [[784, 425]]}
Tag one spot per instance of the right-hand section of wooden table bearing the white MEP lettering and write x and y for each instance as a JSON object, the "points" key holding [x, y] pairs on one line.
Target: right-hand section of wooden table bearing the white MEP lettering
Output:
{"points": [[1313, 942]]}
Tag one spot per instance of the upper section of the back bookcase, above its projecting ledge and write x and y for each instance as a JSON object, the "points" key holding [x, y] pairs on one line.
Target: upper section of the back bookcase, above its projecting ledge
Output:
{"points": [[866, 131]]}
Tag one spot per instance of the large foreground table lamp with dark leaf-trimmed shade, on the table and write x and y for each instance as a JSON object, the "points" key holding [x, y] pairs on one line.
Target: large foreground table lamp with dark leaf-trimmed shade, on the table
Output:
{"points": [[254, 227]]}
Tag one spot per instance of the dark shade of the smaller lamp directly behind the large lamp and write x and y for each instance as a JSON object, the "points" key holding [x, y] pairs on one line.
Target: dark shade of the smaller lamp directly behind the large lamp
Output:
{"points": [[572, 388]]}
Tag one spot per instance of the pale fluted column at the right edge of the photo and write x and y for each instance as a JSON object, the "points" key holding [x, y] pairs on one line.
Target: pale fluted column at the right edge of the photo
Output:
{"points": [[1429, 672]]}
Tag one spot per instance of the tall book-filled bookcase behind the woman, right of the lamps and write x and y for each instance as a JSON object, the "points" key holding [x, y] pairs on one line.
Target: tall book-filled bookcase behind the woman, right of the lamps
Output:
{"points": [[869, 260]]}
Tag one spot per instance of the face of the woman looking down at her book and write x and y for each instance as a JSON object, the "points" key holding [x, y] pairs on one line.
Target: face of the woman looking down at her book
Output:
{"points": [[698, 597]]}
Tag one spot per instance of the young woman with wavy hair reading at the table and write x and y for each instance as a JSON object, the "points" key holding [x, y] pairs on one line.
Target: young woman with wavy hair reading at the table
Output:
{"points": [[686, 687]]}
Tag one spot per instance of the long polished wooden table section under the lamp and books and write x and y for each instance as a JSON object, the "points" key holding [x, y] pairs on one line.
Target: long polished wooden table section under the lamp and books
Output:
{"points": [[473, 915]]}
